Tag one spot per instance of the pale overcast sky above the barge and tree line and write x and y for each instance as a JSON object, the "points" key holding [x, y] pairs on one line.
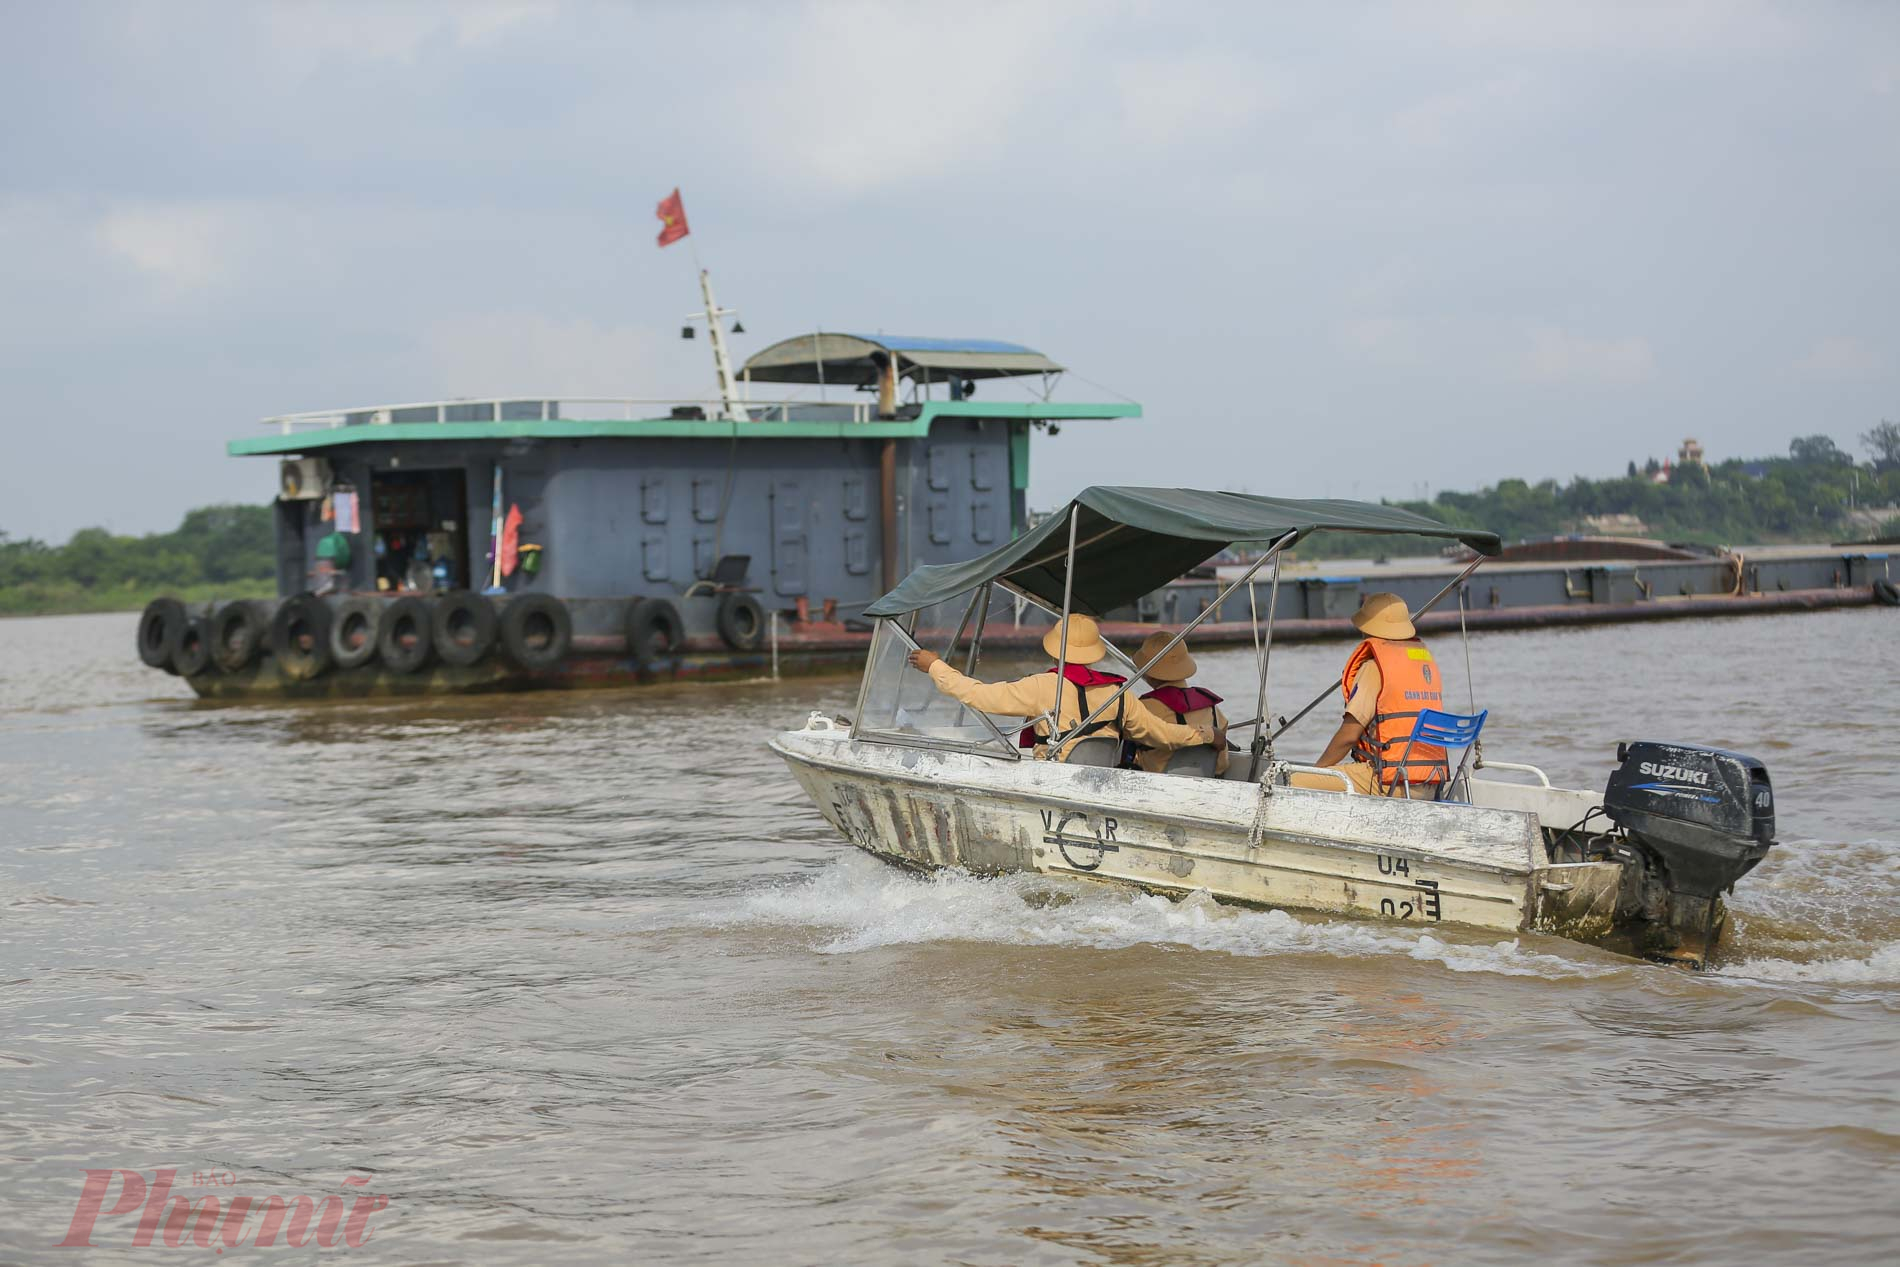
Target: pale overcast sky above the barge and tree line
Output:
{"points": [[1333, 250]]}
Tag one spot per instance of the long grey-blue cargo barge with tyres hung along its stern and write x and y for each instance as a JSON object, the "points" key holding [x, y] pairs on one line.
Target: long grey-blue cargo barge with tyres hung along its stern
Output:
{"points": [[527, 542]]}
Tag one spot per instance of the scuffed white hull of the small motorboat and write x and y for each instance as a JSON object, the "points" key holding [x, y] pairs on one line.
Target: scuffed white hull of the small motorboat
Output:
{"points": [[1401, 861]]}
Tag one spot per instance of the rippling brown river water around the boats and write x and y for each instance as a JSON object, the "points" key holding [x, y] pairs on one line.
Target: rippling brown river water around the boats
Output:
{"points": [[584, 977]]}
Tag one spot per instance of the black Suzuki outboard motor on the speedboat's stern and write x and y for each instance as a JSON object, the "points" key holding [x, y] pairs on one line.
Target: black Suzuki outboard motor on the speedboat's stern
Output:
{"points": [[1703, 820]]}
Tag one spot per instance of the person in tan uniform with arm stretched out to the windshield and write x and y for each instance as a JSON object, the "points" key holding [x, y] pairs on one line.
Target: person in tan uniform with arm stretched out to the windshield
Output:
{"points": [[1084, 692]]}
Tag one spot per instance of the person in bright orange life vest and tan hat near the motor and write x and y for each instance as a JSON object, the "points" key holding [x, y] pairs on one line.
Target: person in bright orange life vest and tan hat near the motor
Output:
{"points": [[1388, 681]]}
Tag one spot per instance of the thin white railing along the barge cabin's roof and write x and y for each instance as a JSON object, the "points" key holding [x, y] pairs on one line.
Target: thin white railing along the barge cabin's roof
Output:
{"points": [[569, 407]]}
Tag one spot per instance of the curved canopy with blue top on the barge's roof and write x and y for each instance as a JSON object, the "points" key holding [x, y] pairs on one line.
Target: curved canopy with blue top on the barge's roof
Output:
{"points": [[848, 360]]}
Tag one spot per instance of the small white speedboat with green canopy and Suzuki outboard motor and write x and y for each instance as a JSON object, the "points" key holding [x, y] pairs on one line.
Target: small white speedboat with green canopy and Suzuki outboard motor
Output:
{"points": [[924, 782]]}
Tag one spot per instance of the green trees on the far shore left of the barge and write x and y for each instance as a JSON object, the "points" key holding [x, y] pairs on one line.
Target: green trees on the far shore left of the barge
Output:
{"points": [[223, 552]]}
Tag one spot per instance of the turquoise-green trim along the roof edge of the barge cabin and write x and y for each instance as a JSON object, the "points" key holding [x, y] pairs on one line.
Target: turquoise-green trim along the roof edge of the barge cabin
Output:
{"points": [[670, 428]]}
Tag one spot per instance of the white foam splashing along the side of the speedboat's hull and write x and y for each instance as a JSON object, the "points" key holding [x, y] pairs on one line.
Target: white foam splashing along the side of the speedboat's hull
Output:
{"points": [[867, 905]]}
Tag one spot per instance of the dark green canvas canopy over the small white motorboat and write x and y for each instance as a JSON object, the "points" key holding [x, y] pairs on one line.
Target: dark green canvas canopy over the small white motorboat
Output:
{"points": [[1135, 540]]}
